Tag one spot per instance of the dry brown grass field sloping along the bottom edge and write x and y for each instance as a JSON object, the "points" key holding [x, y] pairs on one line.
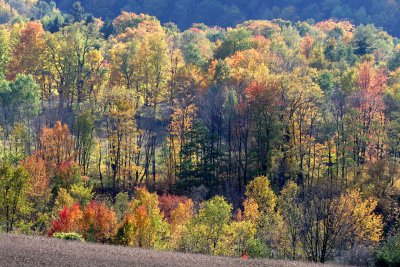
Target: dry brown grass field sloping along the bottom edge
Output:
{"points": [[17, 250]]}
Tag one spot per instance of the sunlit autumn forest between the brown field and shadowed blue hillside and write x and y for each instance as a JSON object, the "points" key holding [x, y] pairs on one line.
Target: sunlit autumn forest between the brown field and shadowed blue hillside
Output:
{"points": [[269, 139]]}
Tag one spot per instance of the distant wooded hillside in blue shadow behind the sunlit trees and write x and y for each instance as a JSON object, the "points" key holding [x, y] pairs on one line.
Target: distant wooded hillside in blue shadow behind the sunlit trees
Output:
{"points": [[224, 13]]}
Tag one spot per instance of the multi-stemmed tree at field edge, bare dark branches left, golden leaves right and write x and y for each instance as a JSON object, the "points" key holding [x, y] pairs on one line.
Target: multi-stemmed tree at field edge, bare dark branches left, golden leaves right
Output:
{"points": [[346, 219]]}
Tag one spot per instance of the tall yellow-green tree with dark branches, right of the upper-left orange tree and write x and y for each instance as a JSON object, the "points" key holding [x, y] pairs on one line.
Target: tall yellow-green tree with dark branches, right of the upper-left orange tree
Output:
{"points": [[67, 69]]}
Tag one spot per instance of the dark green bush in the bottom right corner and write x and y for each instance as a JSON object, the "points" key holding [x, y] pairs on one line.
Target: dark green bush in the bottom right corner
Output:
{"points": [[388, 254]]}
